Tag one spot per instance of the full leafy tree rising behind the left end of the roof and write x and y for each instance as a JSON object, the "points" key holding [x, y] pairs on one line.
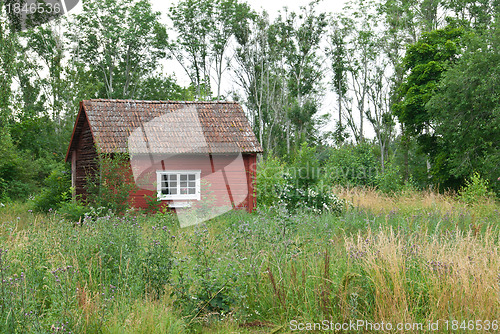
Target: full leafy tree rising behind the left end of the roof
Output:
{"points": [[119, 42]]}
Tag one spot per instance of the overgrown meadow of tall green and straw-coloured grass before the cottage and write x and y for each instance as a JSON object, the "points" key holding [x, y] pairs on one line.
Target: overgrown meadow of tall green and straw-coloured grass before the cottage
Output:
{"points": [[415, 258]]}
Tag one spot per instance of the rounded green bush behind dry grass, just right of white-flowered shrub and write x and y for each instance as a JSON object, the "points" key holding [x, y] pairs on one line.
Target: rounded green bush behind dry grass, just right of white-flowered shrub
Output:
{"points": [[351, 165]]}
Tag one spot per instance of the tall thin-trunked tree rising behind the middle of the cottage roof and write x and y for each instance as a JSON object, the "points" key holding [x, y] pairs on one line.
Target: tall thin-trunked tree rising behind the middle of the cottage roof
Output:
{"points": [[203, 29]]}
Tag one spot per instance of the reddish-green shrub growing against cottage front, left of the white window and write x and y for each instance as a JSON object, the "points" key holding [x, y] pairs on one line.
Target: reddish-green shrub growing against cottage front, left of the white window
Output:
{"points": [[110, 187]]}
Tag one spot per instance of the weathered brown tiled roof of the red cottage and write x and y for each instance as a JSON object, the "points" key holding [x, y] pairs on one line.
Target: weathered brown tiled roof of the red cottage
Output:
{"points": [[169, 127]]}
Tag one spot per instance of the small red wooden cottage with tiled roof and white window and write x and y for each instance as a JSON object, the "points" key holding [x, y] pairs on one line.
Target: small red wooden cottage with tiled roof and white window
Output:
{"points": [[180, 152]]}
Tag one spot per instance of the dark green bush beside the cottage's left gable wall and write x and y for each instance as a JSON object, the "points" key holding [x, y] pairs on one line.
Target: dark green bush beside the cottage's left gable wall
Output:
{"points": [[56, 190]]}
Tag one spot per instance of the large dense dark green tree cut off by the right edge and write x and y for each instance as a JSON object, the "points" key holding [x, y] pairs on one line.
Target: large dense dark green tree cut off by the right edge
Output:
{"points": [[467, 113]]}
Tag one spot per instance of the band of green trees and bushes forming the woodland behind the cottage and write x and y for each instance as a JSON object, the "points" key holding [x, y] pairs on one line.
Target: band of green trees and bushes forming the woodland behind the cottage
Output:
{"points": [[421, 77]]}
